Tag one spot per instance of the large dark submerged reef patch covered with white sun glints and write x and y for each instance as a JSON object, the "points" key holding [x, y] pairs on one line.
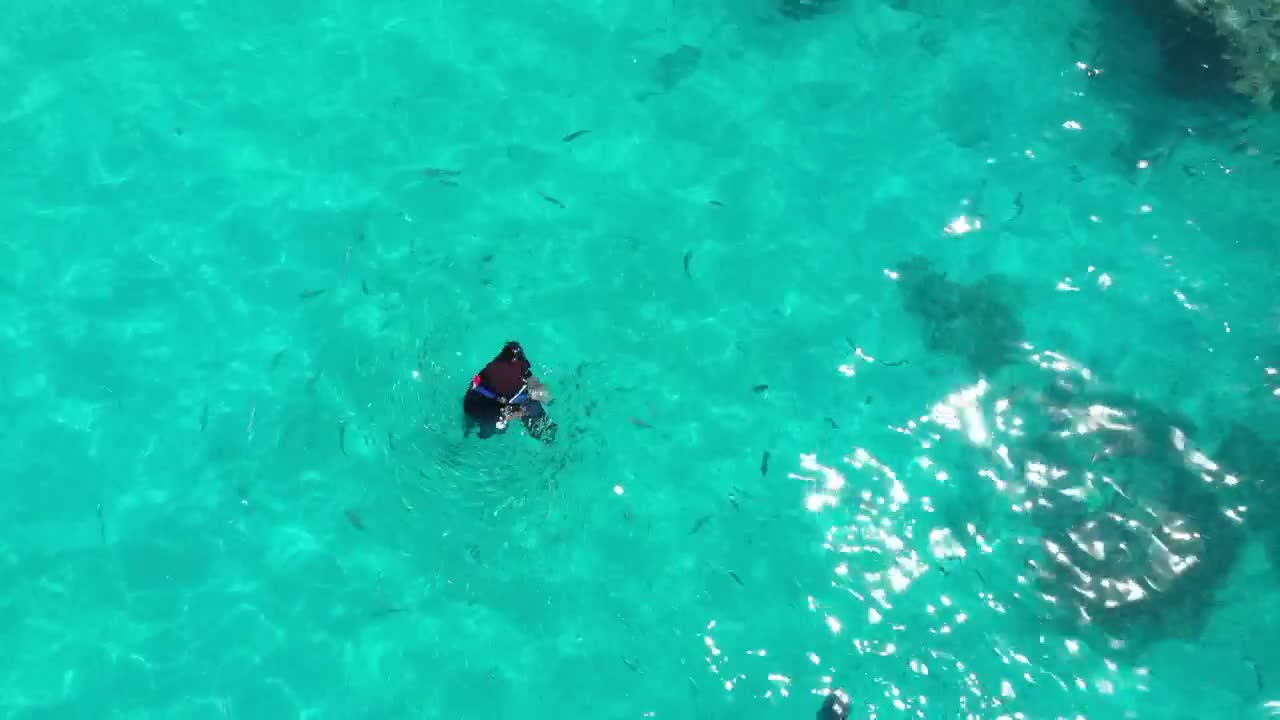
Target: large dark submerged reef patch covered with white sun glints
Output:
{"points": [[1142, 558]]}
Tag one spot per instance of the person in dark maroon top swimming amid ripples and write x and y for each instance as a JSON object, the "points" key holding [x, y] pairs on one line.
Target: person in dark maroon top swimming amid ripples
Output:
{"points": [[506, 389]]}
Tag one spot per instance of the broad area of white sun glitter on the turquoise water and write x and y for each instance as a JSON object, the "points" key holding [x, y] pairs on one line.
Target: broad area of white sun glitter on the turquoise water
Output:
{"points": [[932, 598]]}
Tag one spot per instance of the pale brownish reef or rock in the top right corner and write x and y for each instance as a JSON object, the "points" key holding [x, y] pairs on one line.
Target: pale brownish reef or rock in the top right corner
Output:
{"points": [[1252, 29]]}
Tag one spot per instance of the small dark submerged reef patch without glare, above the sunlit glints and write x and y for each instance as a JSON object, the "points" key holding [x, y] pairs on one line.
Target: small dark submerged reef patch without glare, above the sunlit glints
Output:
{"points": [[975, 322]]}
